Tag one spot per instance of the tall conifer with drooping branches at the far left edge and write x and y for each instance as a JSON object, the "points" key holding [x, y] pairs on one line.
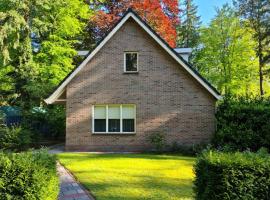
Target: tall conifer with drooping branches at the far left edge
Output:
{"points": [[15, 46]]}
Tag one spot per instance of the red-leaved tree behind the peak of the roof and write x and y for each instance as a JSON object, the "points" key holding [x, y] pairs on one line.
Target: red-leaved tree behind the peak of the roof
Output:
{"points": [[160, 14]]}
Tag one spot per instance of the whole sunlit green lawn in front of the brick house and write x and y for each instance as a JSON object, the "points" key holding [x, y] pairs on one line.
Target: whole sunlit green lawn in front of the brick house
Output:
{"points": [[132, 176]]}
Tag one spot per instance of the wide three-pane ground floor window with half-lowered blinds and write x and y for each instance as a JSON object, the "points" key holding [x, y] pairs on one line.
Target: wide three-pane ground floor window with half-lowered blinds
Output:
{"points": [[114, 118]]}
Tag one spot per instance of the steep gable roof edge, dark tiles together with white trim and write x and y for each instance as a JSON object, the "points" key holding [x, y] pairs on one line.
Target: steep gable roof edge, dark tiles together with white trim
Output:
{"points": [[131, 14]]}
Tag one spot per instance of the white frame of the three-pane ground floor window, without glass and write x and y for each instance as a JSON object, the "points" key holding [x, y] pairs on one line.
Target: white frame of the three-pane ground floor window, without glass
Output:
{"points": [[107, 119]]}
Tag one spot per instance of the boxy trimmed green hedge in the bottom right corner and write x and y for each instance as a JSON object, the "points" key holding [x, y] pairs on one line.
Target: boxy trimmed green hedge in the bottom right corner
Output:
{"points": [[222, 176]]}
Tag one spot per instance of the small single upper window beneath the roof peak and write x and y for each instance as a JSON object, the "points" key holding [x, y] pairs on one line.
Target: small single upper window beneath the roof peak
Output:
{"points": [[131, 62]]}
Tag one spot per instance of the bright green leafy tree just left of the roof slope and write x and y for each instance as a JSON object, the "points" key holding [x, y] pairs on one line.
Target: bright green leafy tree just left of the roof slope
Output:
{"points": [[64, 30]]}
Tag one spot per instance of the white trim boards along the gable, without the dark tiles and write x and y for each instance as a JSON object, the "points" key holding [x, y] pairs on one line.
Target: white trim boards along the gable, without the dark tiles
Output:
{"points": [[61, 88]]}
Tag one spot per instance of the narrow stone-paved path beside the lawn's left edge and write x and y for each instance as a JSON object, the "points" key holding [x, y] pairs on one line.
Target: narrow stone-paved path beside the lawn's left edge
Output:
{"points": [[70, 189]]}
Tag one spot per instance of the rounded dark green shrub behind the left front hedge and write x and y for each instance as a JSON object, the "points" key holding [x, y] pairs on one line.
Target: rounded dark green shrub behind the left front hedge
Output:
{"points": [[14, 138]]}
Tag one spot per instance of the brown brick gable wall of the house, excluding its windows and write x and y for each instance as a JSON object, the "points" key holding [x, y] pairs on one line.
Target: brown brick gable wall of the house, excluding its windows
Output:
{"points": [[167, 98]]}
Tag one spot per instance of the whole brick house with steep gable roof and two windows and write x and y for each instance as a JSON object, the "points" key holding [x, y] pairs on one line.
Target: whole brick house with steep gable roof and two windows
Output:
{"points": [[133, 85]]}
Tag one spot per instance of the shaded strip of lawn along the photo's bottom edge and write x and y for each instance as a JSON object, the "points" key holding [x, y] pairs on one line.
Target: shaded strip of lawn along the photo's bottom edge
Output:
{"points": [[149, 187]]}
